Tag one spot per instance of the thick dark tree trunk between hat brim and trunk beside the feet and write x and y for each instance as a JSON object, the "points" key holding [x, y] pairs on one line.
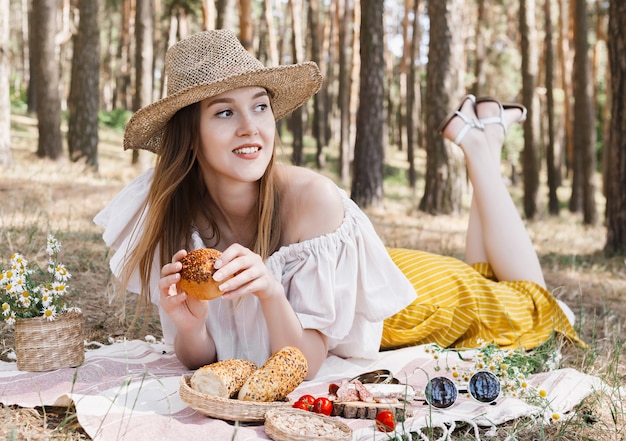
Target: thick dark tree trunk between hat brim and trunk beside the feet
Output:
{"points": [[367, 181]]}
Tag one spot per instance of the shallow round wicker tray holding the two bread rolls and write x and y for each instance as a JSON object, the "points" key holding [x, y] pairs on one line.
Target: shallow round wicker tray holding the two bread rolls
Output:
{"points": [[225, 408]]}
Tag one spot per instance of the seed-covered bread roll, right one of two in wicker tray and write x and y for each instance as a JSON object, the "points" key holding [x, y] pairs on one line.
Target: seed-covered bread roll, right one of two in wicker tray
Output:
{"points": [[278, 377]]}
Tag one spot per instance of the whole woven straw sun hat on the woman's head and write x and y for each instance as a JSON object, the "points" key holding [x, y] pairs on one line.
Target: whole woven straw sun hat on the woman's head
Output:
{"points": [[207, 64]]}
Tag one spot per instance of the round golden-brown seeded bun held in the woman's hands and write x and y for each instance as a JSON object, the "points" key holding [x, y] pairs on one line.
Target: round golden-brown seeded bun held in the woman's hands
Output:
{"points": [[197, 274]]}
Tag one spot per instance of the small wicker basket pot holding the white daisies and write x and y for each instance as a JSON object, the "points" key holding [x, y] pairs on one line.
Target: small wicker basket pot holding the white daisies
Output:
{"points": [[42, 345]]}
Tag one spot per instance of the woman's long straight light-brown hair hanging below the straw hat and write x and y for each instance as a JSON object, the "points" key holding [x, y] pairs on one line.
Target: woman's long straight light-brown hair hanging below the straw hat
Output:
{"points": [[174, 203]]}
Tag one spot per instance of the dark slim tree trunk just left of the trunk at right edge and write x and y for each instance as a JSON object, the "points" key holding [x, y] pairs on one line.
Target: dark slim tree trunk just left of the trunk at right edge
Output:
{"points": [[584, 129]]}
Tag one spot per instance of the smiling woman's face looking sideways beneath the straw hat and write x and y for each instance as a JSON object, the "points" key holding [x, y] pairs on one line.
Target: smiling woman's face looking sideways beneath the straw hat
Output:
{"points": [[237, 132]]}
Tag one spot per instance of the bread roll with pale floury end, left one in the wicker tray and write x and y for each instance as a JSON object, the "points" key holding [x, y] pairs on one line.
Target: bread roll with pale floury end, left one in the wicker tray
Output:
{"points": [[223, 378]]}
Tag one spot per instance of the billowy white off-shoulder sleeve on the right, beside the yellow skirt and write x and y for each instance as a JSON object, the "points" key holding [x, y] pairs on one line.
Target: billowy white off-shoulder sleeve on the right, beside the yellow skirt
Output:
{"points": [[344, 284]]}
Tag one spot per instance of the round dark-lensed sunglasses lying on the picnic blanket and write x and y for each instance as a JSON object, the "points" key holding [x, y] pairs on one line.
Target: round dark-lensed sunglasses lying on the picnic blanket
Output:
{"points": [[483, 386]]}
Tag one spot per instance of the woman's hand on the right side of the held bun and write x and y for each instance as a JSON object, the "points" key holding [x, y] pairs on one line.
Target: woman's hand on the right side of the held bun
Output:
{"points": [[250, 275]]}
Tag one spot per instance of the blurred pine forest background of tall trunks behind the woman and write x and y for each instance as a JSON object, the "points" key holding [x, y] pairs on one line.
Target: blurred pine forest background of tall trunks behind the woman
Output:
{"points": [[393, 70]]}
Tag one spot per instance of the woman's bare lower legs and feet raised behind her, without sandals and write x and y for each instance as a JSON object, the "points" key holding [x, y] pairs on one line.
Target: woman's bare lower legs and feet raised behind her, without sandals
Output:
{"points": [[496, 233]]}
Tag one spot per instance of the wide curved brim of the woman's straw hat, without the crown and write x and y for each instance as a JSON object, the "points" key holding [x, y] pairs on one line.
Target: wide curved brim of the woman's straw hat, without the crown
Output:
{"points": [[289, 86]]}
